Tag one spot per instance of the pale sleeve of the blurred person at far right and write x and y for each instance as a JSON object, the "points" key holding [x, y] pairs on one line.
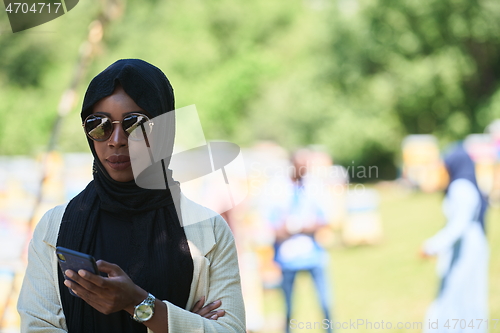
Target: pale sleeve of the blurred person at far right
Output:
{"points": [[464, 203]]}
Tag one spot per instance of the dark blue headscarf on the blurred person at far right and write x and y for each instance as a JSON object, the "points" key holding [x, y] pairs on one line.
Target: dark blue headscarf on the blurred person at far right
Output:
{"points": [[460, 166]]}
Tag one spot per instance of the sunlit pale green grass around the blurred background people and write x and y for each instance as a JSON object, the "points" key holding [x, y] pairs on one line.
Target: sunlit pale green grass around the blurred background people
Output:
{"points": [[389, 281]]}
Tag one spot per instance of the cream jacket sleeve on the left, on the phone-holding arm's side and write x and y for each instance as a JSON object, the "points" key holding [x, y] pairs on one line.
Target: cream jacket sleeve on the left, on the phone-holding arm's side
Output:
{"points": [[39, 305]]}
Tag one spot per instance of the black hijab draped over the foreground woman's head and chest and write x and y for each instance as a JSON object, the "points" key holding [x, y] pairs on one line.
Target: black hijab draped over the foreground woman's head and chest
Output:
{"points": [[136, 228]]}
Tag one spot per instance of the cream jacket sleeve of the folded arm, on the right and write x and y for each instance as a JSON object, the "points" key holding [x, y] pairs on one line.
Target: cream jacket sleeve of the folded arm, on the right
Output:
{"points": [[223, 284]]}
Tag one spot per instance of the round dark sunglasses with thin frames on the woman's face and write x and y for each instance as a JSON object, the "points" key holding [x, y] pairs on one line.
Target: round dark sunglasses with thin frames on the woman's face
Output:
{"points": [[99, 127]]}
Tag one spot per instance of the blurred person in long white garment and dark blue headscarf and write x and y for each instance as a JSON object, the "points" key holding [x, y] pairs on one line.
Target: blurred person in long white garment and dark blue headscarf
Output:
{"points": [[462, 250]]}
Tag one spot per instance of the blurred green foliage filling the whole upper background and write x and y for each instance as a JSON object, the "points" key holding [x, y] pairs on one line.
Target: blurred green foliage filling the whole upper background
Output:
{"points": [[355, 76]]}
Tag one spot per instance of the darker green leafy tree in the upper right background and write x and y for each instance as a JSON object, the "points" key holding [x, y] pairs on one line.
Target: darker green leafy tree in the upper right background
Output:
{"points": [[438, 60]]}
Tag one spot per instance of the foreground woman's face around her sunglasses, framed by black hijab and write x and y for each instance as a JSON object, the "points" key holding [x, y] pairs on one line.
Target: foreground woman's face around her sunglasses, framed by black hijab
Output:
{"points": [[114, 153]]}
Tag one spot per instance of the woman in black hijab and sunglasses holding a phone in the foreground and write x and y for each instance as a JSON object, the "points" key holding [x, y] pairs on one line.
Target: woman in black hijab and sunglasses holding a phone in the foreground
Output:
{"points": [[146, 255]]}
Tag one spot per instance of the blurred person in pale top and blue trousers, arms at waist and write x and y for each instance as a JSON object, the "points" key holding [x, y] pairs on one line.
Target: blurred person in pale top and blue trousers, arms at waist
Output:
{"points": [[295, 219]]}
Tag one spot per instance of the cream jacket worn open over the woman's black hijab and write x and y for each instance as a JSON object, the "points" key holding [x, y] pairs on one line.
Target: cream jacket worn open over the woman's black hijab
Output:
{"points": [[215, 275]]}
